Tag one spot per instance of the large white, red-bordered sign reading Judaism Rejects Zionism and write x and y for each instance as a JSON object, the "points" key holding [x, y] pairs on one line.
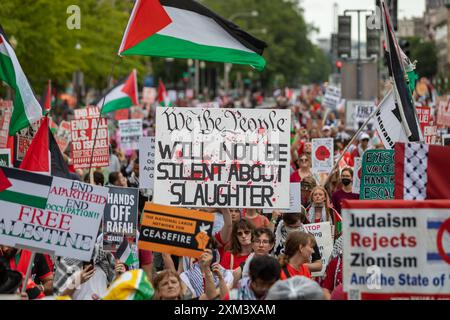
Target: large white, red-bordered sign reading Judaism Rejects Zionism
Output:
{"points": [[396, 249]]}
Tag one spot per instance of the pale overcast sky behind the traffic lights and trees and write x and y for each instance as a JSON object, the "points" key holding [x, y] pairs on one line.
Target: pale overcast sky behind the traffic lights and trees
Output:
{"points": [[320, 13]]}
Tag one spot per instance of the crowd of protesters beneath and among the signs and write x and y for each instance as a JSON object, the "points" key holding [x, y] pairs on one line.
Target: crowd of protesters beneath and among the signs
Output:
{"points": [[254, 255]]}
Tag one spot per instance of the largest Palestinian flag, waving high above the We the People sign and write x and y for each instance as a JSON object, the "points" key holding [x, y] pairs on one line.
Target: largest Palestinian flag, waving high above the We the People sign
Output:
{"points": [[186, 29]]}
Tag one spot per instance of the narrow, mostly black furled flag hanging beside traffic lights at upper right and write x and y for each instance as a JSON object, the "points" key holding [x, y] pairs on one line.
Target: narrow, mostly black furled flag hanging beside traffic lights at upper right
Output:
{"points": [[404, 101]]}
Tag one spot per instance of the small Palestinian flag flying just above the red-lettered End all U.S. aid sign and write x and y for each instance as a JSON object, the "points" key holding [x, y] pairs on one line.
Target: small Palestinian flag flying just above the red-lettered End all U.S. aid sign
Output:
{"points": [[122, 96]]}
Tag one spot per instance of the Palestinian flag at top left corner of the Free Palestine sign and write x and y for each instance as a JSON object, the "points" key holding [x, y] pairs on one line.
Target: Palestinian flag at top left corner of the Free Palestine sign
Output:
{"points": [[27, 188]]}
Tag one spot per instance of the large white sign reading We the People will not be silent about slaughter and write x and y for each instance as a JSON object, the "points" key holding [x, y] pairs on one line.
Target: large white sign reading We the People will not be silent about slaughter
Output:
{"points": [[236, 158]]}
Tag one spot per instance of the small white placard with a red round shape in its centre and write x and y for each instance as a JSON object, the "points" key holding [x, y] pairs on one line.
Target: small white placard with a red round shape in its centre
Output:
{"points": [[322, 155]]}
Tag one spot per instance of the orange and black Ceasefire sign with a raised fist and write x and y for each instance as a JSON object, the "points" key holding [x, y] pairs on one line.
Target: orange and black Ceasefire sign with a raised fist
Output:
{"points": [[176, 231]]}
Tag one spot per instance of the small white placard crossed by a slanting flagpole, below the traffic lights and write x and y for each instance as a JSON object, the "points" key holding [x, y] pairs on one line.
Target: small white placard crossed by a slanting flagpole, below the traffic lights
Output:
{"points": [[357, 112]]}
